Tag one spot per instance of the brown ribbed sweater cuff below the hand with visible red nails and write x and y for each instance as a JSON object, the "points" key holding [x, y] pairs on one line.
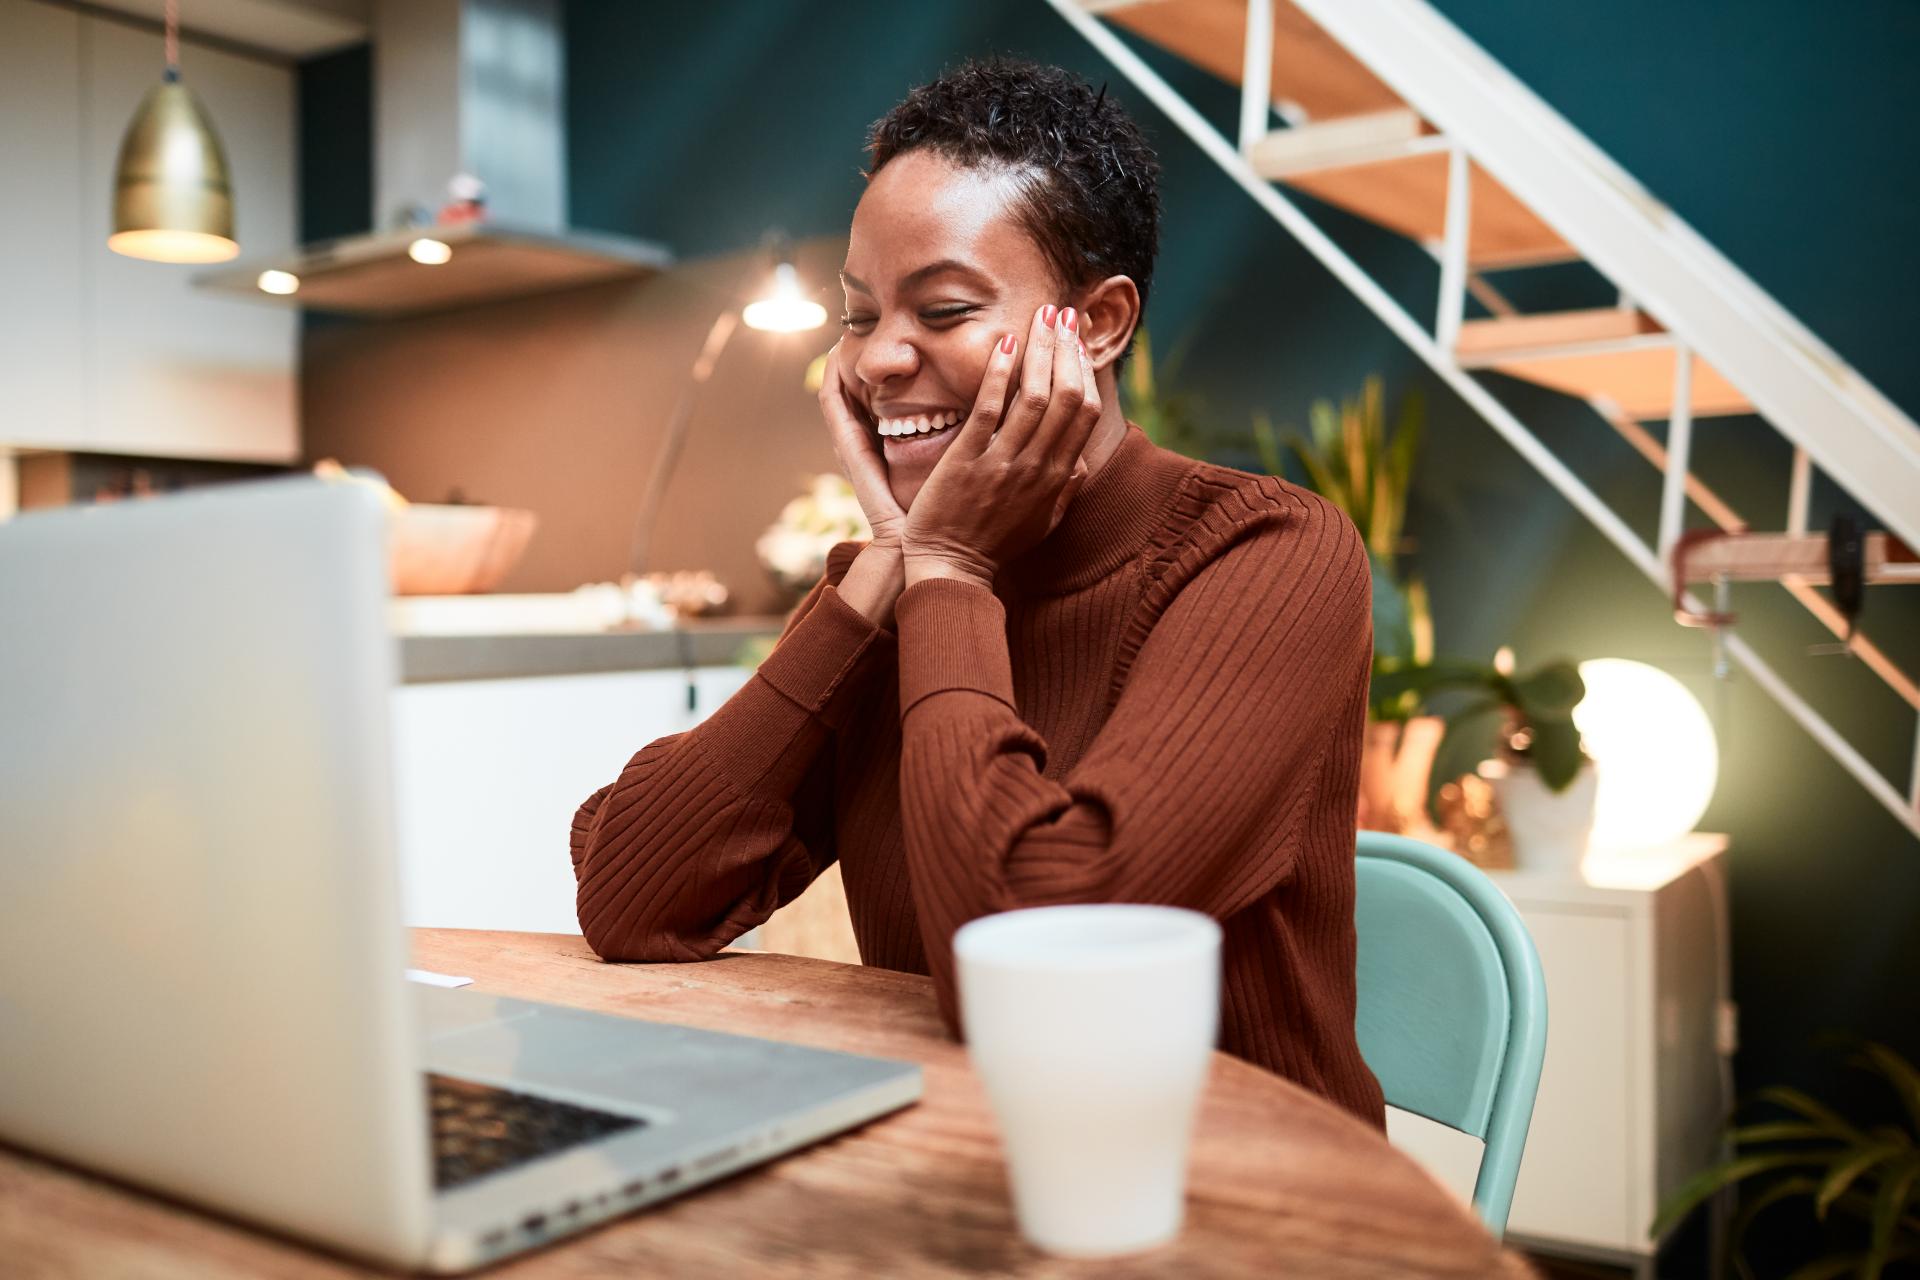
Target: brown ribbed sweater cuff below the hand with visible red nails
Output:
{"points": [[953, 636]]}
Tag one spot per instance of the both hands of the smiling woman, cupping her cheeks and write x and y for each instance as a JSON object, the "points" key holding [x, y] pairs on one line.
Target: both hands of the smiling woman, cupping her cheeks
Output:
{"points": [[999, 488]]}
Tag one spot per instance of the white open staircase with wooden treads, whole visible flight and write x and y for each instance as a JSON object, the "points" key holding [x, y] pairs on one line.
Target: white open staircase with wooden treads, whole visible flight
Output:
{"points": [[1399, 118]]}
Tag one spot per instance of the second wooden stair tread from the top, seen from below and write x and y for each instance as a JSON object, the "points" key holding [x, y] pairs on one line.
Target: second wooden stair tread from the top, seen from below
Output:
{"points": [[1406, 193]]}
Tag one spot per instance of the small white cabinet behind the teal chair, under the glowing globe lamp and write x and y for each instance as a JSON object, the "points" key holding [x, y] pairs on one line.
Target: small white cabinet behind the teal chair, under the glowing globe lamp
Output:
{"points": [[1635, 1087]]}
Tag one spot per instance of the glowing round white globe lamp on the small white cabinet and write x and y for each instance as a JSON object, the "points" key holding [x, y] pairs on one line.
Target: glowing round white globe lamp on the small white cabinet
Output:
{"points": [[1654, 753]]}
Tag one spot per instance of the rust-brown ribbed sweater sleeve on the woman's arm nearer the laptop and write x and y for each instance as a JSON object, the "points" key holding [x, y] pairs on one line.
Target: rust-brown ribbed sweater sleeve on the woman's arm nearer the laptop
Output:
{"points": [[708, 832]]}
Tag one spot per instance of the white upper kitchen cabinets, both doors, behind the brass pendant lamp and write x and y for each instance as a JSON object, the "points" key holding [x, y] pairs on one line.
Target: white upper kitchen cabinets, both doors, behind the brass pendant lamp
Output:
{"points": [[110, 354]]}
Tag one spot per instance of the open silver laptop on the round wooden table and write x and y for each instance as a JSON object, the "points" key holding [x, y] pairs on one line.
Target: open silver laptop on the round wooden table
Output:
{"points": [[201, 937]]}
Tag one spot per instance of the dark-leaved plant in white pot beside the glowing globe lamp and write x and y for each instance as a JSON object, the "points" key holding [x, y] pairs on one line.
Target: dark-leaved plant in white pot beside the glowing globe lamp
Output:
{"points": [[1545, 782]]}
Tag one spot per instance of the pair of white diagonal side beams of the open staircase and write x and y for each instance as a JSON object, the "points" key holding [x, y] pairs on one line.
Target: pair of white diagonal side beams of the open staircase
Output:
{"points": [[1804, 389]]}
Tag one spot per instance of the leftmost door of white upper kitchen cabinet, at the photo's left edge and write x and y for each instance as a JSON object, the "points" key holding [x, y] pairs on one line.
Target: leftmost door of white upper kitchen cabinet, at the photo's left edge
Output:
{"points": [[41, 302]]}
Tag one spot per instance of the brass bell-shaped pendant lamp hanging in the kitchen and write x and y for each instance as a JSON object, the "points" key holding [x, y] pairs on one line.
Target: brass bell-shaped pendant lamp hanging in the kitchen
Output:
{"points": [[172, 199]]}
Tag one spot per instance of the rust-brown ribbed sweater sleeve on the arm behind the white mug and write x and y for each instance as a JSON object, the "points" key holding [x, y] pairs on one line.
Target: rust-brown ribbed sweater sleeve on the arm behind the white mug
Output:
{"points": [[1195, 790]]}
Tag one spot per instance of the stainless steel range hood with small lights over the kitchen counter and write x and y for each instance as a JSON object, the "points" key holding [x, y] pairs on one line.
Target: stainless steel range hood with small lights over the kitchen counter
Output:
{"points": [[460, 87]]}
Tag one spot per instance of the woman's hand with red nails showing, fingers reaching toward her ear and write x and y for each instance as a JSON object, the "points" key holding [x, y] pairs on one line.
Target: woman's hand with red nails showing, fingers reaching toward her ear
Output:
{"points": [[1017, 463]]}
